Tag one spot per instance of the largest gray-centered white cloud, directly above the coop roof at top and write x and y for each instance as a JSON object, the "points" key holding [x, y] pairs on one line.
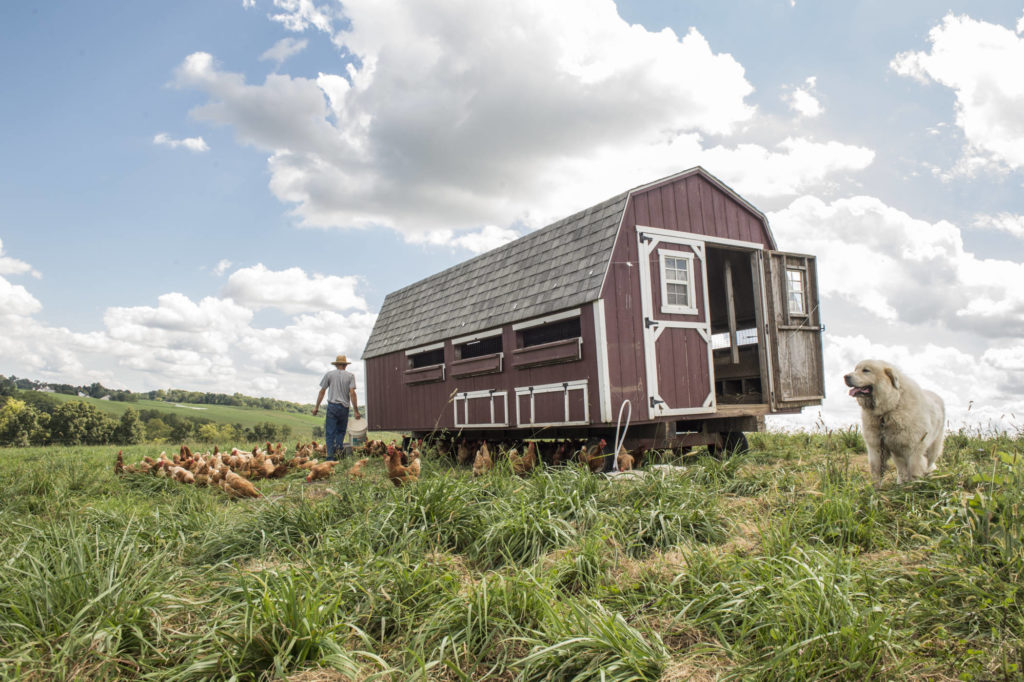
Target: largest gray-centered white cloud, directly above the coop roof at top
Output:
{"points": [[467, 110]]}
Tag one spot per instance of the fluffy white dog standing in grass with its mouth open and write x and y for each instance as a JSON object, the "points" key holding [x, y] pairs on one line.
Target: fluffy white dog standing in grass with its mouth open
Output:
{"points": [[901, 419]]}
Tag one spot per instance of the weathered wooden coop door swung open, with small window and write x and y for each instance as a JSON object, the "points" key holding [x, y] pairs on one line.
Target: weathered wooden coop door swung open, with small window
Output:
{"points": [[794, 331]]}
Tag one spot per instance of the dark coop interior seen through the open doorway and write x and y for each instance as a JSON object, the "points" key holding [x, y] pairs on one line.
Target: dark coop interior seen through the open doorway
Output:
{"points": [[735, 327]]}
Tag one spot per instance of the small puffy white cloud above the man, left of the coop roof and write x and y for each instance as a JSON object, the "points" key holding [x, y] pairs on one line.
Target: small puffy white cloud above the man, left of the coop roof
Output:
{"points": [[292, 291]]}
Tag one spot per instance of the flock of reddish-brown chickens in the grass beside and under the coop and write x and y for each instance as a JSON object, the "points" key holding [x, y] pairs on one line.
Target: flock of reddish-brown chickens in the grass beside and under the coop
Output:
{"points": [[235, 472]]}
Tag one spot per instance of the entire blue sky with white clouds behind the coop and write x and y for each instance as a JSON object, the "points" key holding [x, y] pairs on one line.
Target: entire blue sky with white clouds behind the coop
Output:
{"points": [[219, 195]]}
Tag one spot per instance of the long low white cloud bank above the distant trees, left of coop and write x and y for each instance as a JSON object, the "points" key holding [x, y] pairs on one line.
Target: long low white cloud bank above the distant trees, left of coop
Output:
{"points": [[211, 345]]}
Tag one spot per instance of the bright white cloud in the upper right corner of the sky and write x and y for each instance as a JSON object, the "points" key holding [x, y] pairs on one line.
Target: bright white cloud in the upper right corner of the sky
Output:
{"points": [[982, 63]]}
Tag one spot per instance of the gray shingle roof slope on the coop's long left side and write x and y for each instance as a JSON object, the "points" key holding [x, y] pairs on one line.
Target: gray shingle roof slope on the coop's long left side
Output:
{"points": [[557, 268]]}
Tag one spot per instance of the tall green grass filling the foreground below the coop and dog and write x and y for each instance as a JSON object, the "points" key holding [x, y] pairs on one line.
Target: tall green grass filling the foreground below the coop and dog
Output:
{"points": [[782, 564]]}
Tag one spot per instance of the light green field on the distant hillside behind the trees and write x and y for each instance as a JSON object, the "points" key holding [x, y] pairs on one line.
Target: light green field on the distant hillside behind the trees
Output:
{"points": [[303, 425]]}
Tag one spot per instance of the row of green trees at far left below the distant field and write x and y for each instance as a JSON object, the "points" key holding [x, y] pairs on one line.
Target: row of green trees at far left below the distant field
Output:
{"points": [[34, 418]]}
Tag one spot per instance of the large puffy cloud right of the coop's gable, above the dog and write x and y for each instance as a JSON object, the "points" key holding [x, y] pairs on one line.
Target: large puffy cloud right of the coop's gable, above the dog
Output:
{"points": [[902, 269]]}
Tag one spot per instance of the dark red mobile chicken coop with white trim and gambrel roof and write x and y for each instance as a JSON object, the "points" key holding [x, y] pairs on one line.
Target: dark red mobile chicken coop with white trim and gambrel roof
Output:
{"points": [[671, 296]]}
